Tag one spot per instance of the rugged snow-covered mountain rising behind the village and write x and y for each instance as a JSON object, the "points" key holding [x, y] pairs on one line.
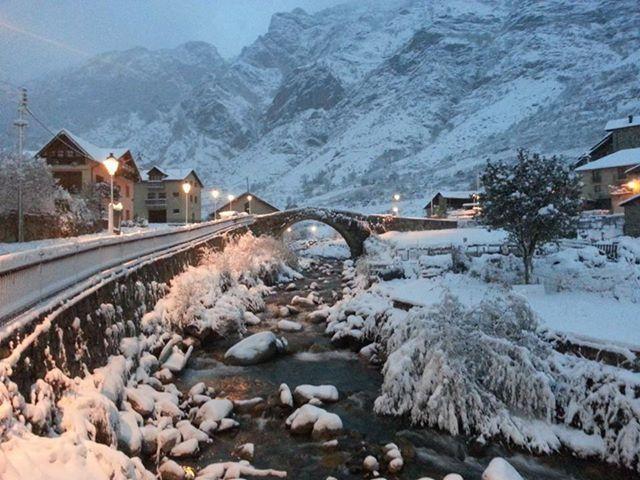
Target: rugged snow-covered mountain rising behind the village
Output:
{"points": [[344, 106]]}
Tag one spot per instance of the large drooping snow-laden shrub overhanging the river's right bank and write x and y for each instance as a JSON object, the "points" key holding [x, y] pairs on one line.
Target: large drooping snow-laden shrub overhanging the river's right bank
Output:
{"points": [[468, 371]]}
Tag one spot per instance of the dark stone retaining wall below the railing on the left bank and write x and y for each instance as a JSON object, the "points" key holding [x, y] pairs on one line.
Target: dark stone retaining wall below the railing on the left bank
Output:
{"points": [[81, 335]]}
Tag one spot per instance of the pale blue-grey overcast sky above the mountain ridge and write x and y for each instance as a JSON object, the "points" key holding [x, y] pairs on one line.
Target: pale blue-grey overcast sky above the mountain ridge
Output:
{"points": [[39, 35]]}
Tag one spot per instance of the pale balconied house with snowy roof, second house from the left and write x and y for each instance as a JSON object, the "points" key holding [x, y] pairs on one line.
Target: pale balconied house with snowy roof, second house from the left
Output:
{"points": [[160, 197]]}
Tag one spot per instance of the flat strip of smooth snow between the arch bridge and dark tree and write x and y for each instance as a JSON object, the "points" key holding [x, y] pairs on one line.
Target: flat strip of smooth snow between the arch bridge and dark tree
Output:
{"points": [[446, 237]]}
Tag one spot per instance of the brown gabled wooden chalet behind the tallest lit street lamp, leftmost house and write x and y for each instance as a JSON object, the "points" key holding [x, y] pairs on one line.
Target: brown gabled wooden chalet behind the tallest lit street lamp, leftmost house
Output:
{"points": [[78, 164]]}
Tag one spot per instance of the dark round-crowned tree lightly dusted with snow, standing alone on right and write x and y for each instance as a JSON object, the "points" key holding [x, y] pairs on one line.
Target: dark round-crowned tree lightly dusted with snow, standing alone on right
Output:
{"points": [[535, 199]]}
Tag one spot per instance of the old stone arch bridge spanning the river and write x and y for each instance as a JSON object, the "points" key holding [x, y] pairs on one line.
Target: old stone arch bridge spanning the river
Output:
{"points": [[355, 228]]}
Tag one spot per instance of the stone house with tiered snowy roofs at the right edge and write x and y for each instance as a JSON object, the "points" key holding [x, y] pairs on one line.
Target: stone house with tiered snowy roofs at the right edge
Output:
{"points": [[608, 171]]}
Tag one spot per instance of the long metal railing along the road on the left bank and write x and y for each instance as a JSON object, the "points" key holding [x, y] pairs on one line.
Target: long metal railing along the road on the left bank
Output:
{"points": [[31, 276]]}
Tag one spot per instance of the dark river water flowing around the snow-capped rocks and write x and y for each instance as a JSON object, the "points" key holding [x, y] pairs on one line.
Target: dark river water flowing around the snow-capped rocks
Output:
{"points": [[312, 359]]}
